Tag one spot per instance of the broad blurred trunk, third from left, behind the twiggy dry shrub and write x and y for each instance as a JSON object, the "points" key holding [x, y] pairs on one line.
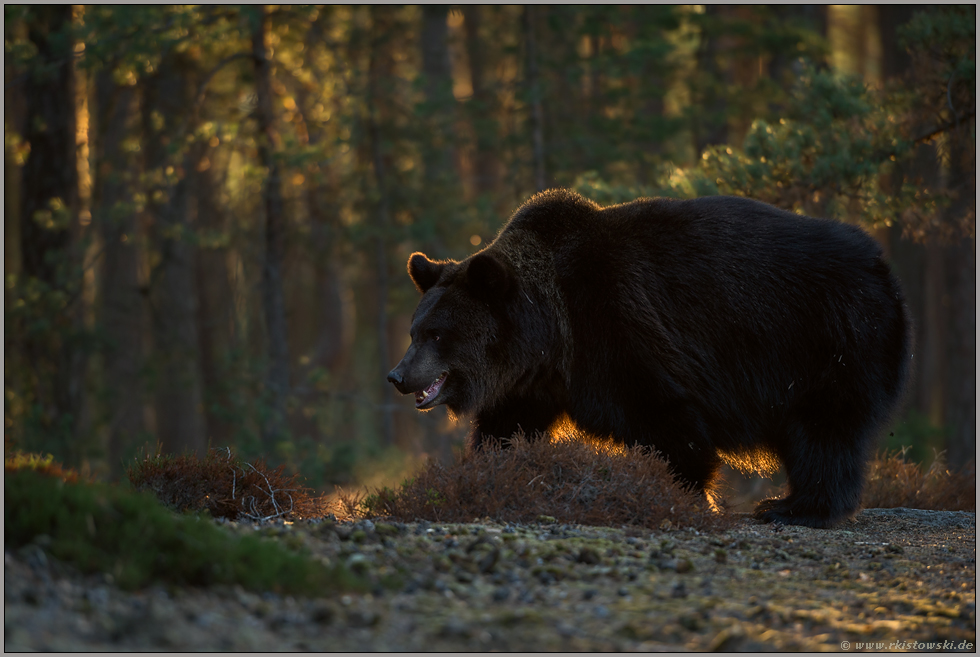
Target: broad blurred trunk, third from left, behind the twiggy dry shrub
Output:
{"points": [[179, 401]]}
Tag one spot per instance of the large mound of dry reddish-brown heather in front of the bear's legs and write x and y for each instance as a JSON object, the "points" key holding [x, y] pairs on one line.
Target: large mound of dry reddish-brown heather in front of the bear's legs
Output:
{"points": [[567, 479]]}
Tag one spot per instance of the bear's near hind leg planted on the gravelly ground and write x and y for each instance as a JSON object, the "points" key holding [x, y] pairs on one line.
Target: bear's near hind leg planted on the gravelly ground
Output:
{"points": [[825, 467]]}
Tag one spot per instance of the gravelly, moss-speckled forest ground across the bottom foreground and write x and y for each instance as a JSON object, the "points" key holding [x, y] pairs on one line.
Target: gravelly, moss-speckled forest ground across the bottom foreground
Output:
{"points": [[890, 579]]}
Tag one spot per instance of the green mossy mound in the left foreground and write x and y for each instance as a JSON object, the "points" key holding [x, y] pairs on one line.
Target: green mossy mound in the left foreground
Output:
{"points": [[100, 528]]}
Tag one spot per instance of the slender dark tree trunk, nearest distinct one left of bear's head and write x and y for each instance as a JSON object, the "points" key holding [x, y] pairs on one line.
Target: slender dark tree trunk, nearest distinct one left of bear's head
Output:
{"points": [[277, 377]]}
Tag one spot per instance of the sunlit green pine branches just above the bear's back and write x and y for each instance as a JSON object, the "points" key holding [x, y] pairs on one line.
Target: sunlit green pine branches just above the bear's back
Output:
{"points": [[826, 158]]}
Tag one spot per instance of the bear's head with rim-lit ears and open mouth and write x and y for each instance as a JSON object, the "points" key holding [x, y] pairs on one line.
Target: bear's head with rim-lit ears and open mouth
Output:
{"points": [[457, 332]]}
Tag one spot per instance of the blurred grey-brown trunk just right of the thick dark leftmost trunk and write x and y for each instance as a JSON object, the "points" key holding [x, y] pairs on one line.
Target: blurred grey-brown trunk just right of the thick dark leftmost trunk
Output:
{"points": [[123, 307]]}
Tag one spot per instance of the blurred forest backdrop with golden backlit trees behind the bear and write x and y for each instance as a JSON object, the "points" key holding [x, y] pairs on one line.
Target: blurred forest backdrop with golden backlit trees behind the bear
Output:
{"points": [[208, 210]]}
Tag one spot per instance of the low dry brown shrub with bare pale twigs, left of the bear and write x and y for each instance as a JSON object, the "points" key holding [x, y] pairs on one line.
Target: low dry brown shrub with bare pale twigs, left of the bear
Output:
{"points": [[226, 486]]}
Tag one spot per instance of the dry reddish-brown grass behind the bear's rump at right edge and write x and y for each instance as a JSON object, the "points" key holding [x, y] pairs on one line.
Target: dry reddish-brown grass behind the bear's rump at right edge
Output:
{"points": [[893, 482]]}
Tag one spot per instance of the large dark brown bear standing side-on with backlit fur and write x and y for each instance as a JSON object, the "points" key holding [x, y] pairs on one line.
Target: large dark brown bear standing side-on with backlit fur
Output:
{"points": [[707, 328]]}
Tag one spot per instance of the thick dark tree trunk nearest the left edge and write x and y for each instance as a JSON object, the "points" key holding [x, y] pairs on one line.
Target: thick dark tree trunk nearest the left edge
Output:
{"points": [[48, 212]]}
